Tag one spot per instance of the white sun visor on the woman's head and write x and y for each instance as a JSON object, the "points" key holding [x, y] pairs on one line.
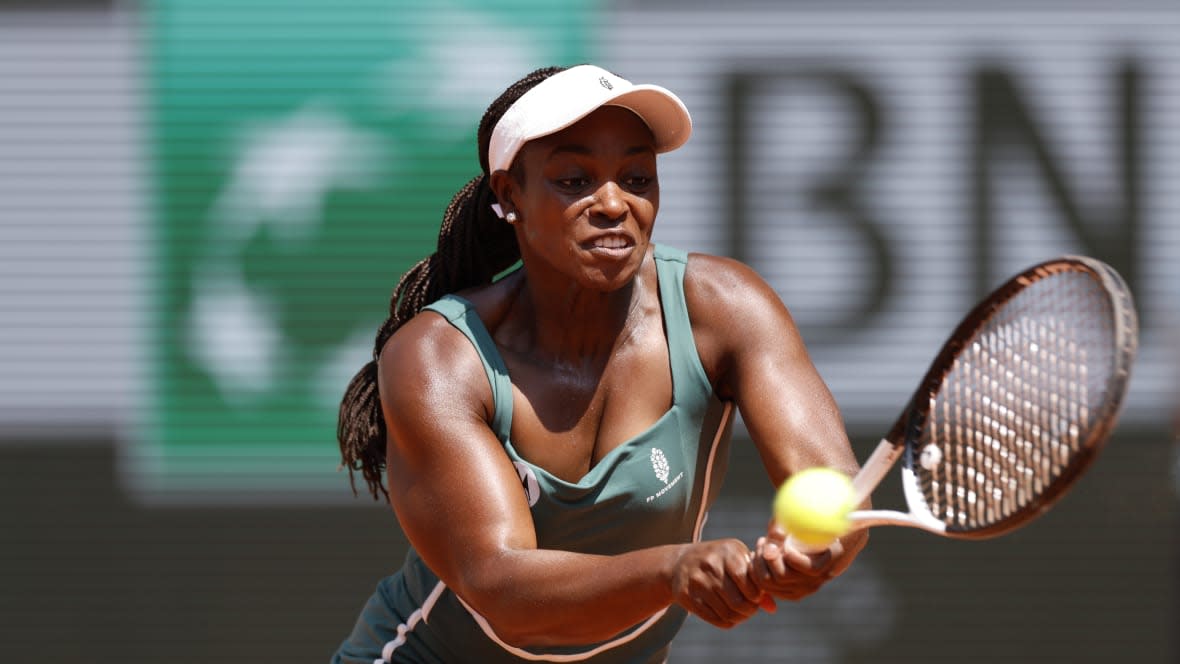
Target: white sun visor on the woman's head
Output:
{"points": [[569, 96]]}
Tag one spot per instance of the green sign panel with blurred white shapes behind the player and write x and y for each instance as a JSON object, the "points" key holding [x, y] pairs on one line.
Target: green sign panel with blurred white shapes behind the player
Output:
{"points": [[303, 156]]}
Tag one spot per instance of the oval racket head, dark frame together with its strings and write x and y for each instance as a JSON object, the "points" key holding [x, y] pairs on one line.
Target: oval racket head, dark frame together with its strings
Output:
{"points": [[1020, 400]]}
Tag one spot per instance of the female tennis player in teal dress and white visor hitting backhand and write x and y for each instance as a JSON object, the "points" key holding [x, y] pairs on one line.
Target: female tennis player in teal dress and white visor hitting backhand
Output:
{"points": [[553, 437]]}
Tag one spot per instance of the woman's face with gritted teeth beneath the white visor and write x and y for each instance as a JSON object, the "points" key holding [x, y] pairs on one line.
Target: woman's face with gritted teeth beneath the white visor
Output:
{"points": [[588, 199]]}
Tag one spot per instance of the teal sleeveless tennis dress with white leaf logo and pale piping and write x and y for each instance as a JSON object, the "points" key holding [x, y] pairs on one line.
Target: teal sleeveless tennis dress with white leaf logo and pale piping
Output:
{"points": [[653, 490]]}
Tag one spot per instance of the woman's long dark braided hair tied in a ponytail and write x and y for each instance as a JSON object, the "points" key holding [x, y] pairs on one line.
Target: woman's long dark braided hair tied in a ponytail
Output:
{"points": [[474, 247]]}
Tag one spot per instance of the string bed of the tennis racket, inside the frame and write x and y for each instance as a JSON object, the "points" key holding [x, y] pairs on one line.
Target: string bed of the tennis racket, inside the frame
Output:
{"points": [[1019, 402]]}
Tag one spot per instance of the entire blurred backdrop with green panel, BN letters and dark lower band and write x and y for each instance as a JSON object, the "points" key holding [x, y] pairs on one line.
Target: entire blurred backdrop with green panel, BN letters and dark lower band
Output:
{"points": [[205, 206]]}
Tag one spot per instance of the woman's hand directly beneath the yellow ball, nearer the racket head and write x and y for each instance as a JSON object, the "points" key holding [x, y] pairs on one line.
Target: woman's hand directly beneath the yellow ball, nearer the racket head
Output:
{"points": [[788, 574]]}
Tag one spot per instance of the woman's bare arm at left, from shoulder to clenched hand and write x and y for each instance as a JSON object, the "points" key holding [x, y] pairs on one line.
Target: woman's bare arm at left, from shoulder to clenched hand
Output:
{"points": [[461, 503]]}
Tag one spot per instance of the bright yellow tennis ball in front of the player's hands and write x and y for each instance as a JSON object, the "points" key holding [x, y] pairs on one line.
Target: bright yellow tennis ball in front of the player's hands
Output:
{"points": [[814, 507]]}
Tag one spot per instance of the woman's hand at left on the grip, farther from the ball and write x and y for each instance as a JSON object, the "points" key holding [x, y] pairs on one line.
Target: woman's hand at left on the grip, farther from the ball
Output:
{"points": [[712, 581]]}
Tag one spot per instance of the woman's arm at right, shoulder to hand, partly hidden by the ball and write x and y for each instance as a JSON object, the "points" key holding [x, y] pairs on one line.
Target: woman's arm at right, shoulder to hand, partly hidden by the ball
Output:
{"points": [[756, 357]]}
